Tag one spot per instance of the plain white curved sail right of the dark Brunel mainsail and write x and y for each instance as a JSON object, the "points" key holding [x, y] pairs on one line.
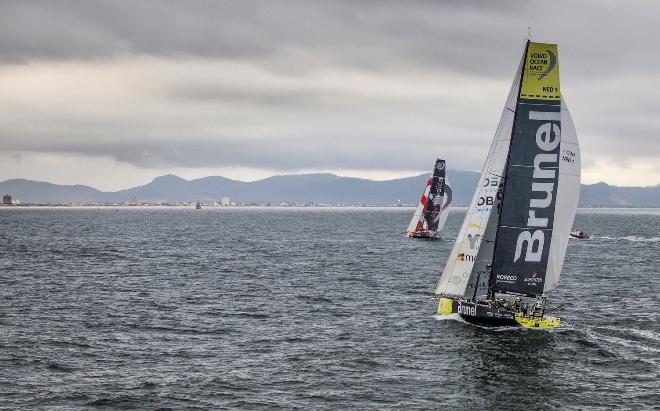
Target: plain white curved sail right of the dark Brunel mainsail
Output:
{"points": [[568, 192]]}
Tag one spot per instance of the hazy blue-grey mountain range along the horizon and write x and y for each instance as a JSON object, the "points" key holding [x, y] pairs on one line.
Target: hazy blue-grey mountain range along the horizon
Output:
{"points": [[301, 188]]}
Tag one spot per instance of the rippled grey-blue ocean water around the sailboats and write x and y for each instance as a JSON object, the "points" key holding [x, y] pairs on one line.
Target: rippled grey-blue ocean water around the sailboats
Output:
{"points": [[259, 308]]}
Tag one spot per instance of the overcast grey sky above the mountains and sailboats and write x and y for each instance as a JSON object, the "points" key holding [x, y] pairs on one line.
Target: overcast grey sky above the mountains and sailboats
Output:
{"points": [[112, 94]]}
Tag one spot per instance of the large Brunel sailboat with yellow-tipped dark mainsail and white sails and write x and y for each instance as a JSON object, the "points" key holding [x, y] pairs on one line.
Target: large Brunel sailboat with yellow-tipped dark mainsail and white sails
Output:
{"points": [[510, 249]]}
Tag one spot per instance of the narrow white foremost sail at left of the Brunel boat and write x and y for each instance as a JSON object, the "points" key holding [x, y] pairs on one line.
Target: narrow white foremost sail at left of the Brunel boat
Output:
{"points": [[458, 268]]}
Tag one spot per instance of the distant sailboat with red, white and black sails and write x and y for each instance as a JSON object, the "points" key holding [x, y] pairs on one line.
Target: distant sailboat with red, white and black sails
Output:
{"points": [[431, 213]]}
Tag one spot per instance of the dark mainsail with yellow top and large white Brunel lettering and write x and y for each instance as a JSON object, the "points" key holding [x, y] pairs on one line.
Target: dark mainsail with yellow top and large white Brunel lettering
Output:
{"points": [[525, 226]]}
